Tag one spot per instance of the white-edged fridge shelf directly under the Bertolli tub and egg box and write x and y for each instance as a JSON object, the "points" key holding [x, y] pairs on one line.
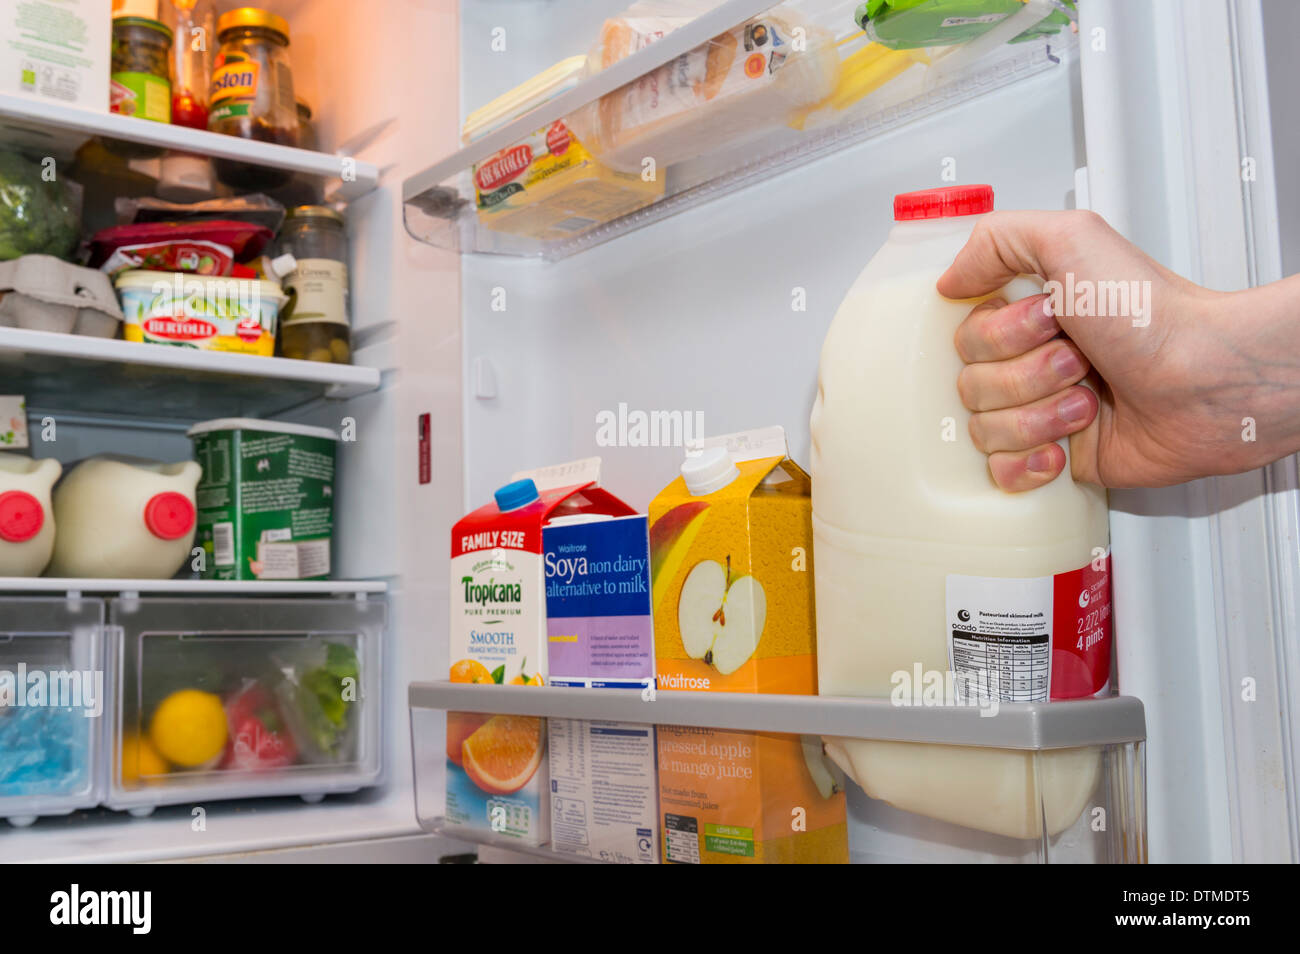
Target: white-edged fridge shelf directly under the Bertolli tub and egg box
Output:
{"points": [[80, 375]]}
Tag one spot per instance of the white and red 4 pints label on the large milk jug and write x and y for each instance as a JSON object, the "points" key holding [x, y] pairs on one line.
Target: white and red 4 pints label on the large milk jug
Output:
{"points": [[1029, 640]]}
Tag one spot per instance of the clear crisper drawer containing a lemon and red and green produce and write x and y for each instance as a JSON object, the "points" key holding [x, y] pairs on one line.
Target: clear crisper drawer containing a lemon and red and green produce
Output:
{"points": [[237, 699]]}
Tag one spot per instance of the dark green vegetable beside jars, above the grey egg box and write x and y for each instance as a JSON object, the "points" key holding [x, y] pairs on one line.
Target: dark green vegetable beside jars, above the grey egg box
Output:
{"points": [[37, 216]]}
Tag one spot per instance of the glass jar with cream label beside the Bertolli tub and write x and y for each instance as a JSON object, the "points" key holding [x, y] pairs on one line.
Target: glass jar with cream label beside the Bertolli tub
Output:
{"points": [[315, 323]]}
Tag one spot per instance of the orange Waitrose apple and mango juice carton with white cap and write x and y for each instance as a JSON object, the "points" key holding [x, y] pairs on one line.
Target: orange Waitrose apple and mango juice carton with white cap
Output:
{"points": [[731, 550]]}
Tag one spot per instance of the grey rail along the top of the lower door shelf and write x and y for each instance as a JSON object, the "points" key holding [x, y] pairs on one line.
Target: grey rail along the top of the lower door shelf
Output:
{"points": [[1013, 726]]}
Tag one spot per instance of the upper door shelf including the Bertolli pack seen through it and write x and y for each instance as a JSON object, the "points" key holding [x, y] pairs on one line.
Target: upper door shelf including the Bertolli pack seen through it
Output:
{"points": [[846, 90]]}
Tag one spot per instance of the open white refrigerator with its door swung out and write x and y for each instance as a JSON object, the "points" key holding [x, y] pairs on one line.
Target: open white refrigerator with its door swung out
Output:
{"points": [[482, 353]]}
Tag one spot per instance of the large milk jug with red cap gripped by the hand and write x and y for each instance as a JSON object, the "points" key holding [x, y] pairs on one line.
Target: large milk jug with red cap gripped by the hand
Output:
{"points": [[924, 566]]}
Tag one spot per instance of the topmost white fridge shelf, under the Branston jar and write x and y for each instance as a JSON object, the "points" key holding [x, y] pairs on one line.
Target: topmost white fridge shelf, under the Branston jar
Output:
{"points": [[59, 131]]}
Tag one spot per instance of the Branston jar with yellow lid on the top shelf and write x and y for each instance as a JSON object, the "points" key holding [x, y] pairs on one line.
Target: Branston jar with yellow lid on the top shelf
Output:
{"points": [[253, 93]]}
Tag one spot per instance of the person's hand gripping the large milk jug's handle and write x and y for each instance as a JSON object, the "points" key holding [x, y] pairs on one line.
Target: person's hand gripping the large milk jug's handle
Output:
{"points": [[1175, 375]]}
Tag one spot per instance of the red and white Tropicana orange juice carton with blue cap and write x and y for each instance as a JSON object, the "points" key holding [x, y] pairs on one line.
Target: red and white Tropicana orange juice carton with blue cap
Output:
{"points": [[497, 774]]}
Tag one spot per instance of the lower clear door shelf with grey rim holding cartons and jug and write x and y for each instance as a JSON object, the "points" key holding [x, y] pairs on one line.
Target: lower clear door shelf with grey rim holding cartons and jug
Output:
{"points": [[1042, 783]]}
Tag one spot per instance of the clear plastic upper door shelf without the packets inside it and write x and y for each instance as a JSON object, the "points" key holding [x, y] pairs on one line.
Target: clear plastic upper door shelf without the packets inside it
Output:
{"points": [[440, 202]]}
